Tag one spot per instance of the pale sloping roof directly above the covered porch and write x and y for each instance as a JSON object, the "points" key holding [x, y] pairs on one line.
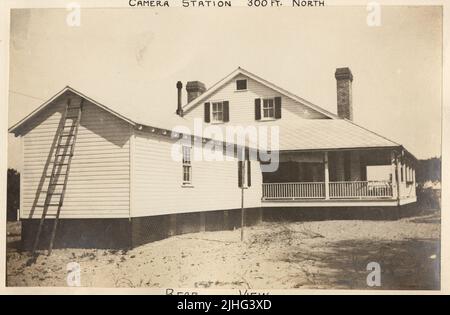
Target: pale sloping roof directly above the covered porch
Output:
{"points": [[321, 134]]}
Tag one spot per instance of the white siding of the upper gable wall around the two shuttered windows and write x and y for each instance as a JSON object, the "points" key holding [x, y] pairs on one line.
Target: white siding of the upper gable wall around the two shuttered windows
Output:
{"points": [[242, 104]]}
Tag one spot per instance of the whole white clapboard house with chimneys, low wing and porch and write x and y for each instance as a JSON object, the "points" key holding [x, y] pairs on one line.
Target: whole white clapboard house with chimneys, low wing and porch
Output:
{"points": [[110, 180]]}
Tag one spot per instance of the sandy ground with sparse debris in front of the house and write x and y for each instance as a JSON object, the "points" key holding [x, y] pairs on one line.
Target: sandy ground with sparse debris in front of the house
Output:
{"points": [[325, 254]]}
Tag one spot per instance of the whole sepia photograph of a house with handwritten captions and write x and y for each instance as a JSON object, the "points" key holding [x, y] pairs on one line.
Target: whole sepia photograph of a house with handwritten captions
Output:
{"points": [[194, 146]]}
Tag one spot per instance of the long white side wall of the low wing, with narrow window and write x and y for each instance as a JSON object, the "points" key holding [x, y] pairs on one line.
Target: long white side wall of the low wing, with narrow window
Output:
{"points": [[157, 181]]}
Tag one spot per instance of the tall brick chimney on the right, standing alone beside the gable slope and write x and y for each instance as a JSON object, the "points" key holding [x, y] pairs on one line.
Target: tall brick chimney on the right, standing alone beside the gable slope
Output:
{"points": [[344, 79]]}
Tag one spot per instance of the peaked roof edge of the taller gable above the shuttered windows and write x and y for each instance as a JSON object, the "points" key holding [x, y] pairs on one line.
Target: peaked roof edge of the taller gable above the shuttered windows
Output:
{"points": [[258, 79]]}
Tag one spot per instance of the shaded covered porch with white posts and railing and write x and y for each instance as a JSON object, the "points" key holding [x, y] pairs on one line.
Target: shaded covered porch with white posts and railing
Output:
{"points": [[341, 177]]}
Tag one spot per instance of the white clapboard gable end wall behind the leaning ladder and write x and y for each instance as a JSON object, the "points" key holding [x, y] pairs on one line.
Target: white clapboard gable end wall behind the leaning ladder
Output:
{"points": [[99, 180]]}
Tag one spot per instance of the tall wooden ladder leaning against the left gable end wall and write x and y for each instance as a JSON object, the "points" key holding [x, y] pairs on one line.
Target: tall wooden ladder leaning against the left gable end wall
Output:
{"points": [[64, 149]]}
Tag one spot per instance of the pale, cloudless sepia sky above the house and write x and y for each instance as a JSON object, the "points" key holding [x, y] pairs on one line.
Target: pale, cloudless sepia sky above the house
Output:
{"points": [[134, 57]]}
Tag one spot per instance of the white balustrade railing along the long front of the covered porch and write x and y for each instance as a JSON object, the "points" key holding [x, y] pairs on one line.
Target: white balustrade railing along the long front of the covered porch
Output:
{"points": [[336, 190]]}
